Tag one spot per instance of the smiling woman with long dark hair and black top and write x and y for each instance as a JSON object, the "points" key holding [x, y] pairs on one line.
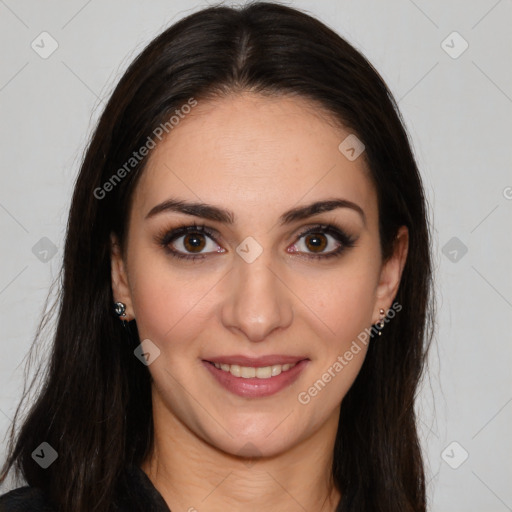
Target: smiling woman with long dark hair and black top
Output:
{"points": [[245, 306]]}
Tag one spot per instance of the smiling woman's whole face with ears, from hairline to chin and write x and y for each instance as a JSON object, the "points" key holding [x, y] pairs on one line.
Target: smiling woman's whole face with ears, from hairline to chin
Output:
{"points": [[258, 286]]}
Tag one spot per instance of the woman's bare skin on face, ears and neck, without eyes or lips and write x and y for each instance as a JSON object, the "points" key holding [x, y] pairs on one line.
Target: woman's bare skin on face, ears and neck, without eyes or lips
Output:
{"points": [[258, 157]]}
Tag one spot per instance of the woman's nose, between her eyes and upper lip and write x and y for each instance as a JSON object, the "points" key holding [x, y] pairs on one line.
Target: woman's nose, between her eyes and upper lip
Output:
{"points": [[258, 301]]}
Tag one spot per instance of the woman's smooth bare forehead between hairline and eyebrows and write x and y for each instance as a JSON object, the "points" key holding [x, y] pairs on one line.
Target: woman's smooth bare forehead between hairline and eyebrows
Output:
{"points": [[255, 155]]}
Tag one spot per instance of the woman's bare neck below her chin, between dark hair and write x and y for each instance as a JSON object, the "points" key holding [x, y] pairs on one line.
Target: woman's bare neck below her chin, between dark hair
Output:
{"points": [[193, 475]]}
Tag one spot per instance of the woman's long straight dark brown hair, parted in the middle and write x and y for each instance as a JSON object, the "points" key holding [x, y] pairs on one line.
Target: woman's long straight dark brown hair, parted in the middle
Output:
{"points": [[94, 406]]}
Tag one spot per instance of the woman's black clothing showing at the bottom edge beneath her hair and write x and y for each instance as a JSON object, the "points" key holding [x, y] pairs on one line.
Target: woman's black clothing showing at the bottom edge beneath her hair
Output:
{"points": [[136, 494]]}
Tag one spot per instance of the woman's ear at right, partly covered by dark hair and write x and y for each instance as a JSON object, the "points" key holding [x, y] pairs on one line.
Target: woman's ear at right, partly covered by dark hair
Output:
{"points": [[391, 273]]}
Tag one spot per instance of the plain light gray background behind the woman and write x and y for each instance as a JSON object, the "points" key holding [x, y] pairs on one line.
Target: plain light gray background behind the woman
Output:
{"points": [[457, 111]]}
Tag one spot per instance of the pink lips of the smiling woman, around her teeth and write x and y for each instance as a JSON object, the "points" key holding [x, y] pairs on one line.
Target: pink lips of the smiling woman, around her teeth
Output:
{"points": [[254, 387]]}
